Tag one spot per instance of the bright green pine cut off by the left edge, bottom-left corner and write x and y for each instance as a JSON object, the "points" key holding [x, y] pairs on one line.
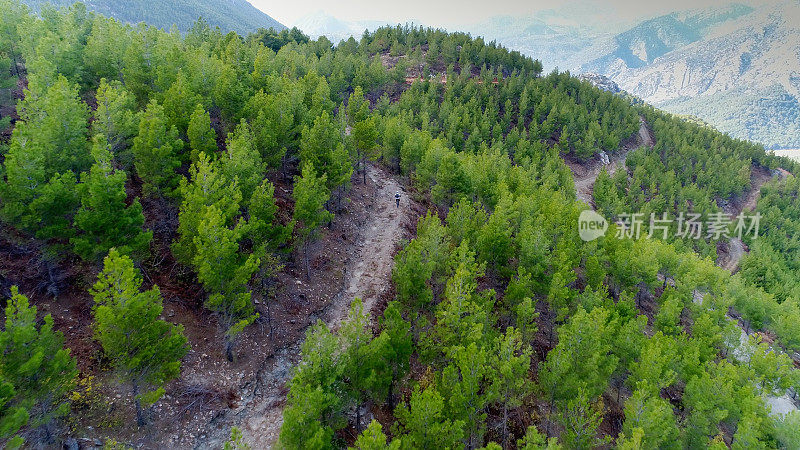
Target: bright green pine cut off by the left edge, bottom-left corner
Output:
{"points": [[35, 363]]}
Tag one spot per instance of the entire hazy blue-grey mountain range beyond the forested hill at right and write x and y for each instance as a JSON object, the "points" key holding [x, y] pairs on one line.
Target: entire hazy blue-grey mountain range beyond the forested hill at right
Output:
{"points": [[735, 67]]}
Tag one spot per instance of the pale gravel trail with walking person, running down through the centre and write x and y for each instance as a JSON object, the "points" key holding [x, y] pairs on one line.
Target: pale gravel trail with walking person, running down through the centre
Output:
{"points": [[368, 276]]}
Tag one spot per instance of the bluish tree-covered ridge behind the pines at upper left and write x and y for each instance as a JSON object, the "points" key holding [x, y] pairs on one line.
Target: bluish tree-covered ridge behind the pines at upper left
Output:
{"points": [[230, 15]]}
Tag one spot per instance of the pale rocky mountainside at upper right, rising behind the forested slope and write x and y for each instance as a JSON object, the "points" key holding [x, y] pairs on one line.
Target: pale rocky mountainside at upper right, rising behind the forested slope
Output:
{"points": [[743, 76]]}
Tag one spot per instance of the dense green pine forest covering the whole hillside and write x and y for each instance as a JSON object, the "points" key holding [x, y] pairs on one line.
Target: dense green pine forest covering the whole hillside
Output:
{"points": [[146, 172]]}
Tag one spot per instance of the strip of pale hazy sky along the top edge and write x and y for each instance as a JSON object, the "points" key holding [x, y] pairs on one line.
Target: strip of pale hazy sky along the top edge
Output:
{"points": [[451, 14]]}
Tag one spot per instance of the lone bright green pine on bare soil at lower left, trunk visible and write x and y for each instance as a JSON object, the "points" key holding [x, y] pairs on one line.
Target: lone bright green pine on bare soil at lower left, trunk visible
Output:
{"points": [[145, 350]]}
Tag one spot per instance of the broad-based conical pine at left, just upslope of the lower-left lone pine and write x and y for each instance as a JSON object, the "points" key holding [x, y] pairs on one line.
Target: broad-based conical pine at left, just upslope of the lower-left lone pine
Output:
{"points": [[104, 220]]}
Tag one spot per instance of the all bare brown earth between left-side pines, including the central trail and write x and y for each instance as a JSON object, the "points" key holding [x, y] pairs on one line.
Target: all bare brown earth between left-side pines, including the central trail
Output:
{"points": [[353, 257]]}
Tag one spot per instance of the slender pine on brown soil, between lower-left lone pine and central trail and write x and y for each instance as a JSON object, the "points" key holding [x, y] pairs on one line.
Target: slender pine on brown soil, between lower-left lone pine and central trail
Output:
{"points": [[225, 272]]}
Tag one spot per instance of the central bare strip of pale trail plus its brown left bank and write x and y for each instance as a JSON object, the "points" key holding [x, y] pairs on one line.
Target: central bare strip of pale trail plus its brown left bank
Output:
{"points": [[354, 259]]}
